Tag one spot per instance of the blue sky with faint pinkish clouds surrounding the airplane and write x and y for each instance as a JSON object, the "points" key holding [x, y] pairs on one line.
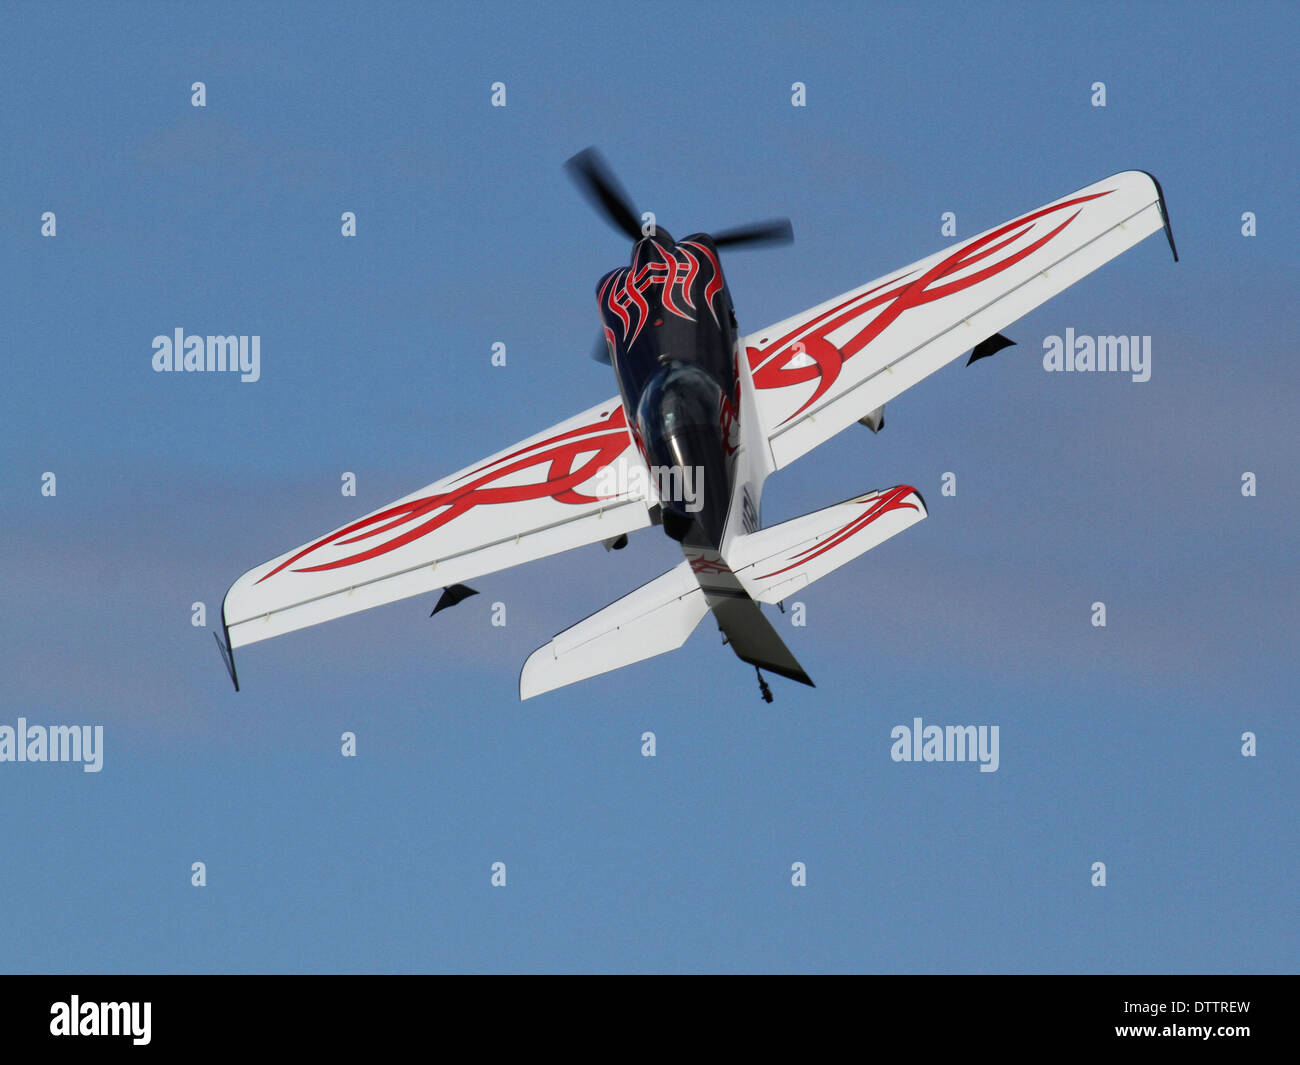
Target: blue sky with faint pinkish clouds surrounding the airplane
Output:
{"points": [[1119, 746]]}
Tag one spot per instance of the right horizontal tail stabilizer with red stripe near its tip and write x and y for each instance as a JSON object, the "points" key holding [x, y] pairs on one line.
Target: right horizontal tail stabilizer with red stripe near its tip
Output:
{"points": [[775, 562]]}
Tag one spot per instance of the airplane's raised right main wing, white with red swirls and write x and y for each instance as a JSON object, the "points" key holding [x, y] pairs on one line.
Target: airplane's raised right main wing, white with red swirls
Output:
{"points": [[818, 373]]}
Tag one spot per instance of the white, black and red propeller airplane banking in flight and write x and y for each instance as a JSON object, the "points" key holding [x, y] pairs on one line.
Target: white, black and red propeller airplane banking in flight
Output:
{"points": [[705, 414]]}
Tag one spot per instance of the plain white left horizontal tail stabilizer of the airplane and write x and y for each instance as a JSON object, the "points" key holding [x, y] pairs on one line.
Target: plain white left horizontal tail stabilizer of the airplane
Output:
{"points": [[657, 618]]}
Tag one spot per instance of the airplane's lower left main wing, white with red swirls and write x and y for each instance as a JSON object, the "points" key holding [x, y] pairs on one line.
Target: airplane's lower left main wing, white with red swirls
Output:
{"points": [[579, 482]]}
